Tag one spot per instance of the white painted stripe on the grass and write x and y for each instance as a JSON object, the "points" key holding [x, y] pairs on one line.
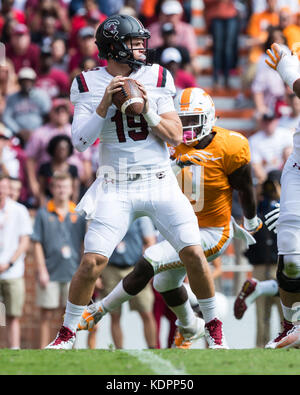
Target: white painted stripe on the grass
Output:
{"points": [[156, 364]]}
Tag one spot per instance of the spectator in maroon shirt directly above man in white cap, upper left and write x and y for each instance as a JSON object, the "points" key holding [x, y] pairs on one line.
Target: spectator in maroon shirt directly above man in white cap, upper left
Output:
{"points": [[21, 51]]}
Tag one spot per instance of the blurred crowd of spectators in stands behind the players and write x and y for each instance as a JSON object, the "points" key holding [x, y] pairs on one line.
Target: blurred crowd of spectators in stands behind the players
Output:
{"points": [[49, 42]]}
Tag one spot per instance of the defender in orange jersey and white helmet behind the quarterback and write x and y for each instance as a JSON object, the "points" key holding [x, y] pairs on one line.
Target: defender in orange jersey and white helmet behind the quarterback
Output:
{"points": [[209, 164]]}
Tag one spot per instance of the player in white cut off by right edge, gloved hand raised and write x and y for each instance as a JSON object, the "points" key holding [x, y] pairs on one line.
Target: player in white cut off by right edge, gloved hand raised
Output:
{"points": [[288, 225]]}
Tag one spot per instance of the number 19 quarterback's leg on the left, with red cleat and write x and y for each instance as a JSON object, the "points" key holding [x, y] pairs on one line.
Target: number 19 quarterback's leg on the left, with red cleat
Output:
{"points": [[104, 233]]}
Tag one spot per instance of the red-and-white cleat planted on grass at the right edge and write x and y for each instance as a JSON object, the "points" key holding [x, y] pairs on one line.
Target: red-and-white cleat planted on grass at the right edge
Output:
{"points": [[288, 338]]}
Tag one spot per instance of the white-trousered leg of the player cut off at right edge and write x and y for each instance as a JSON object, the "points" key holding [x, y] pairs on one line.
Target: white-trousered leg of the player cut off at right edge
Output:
{"points": [[288, 269]]}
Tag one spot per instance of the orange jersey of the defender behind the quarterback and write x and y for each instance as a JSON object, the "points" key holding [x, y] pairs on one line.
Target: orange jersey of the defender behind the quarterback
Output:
{"points": [[207, 185]]}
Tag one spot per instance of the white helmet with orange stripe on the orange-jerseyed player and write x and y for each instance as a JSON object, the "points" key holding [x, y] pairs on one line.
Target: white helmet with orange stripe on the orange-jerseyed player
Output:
{"points": [[196, 110]]}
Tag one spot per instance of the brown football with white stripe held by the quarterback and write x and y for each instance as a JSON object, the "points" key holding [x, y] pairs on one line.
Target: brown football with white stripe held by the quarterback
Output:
{"points": [[129, 100]]}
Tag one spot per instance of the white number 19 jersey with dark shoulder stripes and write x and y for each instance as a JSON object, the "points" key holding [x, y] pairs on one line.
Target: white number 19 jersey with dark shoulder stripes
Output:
{"points": [[126, 143]]}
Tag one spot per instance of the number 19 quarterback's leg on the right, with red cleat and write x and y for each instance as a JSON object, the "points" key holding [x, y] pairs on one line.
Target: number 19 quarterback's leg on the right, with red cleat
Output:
{"points": [[176, 221]]}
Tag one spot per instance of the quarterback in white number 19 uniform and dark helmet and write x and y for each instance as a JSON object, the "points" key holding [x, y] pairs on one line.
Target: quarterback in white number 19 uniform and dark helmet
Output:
{"points": [[135, 177]]}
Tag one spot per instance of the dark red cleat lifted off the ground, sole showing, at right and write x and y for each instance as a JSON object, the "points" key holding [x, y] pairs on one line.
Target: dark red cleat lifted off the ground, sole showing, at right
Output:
{"points": [[246, 296]]}
